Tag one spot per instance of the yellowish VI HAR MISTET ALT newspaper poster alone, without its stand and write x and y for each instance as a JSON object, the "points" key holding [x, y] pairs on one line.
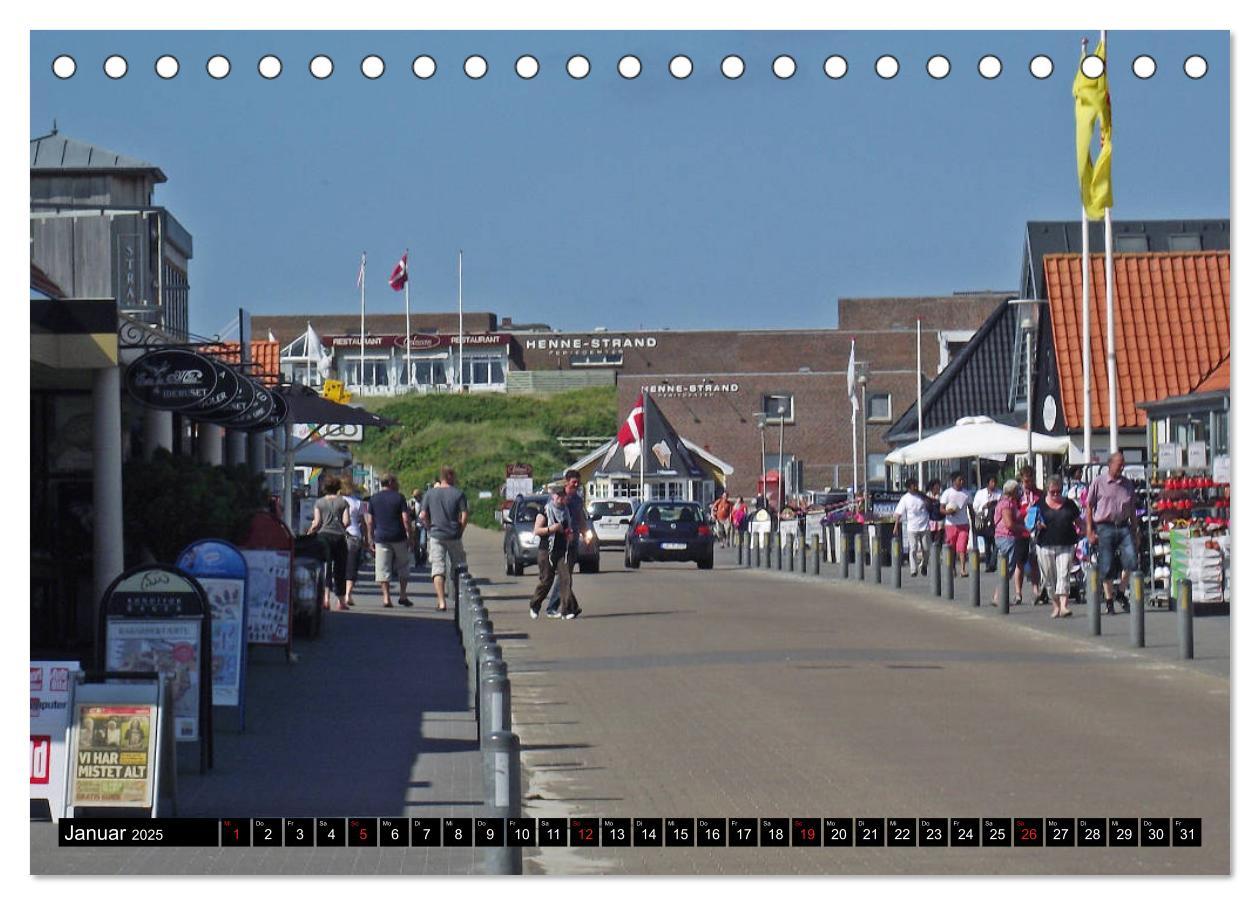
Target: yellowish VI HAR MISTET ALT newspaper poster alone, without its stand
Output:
{"points": [[113, 756]]}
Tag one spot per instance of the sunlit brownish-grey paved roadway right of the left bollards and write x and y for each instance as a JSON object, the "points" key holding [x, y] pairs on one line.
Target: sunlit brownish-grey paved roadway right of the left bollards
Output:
{"points": [[739, 694]]}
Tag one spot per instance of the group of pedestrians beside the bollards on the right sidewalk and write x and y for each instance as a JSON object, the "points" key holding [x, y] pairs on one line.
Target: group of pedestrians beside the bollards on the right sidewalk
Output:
{"points": [[1035, 531]]}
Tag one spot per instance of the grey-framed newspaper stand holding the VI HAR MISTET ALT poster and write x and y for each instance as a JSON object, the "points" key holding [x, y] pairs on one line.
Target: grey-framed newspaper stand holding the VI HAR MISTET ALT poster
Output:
{"points": [[140, 753]]}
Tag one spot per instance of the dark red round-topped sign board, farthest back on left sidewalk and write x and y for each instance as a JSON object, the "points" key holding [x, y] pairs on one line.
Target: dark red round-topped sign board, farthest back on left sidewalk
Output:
{"points": [[269, 551]]}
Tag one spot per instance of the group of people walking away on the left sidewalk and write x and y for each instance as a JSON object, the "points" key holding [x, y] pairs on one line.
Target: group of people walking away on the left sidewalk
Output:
{"points": [[386, 526]]}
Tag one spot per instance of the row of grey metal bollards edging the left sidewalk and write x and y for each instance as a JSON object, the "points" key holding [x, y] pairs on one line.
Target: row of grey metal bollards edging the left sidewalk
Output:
{"points": [[491, 703]]}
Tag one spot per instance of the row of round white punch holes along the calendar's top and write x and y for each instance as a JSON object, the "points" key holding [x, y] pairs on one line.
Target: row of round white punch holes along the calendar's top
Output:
{"points": [[629, 67]]}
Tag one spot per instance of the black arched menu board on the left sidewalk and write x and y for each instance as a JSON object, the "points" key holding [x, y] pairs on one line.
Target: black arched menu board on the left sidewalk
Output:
{"points": [[158, 620]]}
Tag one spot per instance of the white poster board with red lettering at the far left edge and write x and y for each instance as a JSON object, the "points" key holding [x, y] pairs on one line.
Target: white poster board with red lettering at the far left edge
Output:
{"points": [[50, 722]]}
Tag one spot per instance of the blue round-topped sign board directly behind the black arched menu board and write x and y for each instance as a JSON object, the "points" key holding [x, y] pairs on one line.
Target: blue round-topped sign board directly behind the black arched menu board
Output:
{"points": [[222, 573]]}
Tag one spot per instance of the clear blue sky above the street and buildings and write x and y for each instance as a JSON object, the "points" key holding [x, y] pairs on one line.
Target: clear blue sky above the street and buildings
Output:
{"points": [[656, 202]]}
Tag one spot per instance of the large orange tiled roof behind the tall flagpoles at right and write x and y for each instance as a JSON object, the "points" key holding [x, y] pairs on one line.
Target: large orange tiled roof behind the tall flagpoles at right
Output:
{"points": [[1172, 328]]}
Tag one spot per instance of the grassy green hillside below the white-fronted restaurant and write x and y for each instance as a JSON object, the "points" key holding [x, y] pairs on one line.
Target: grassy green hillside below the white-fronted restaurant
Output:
{"points": [[479, 435]]}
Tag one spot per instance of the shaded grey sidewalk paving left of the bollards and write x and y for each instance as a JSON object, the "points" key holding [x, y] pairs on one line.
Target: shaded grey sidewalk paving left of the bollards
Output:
{"points": [[370, 722]]}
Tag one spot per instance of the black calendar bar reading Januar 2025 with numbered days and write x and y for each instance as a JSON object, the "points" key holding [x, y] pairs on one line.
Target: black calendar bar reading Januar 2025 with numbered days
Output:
{"points": [[643, 833]]}
